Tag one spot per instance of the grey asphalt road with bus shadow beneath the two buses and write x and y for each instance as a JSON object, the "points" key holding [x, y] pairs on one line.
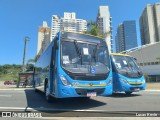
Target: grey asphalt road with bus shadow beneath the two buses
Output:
{"points": [[117, 104]]}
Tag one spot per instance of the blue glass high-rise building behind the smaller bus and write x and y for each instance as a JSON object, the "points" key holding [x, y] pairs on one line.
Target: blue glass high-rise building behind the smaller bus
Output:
{"points": [[126, 37]]}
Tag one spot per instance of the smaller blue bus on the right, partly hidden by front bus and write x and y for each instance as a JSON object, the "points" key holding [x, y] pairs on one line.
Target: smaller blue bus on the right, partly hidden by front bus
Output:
{"points": [[127, 75]]}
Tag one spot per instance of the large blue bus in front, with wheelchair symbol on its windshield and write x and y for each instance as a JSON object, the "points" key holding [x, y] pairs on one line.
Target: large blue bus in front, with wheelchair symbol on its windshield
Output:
{"points": [[74, 65]]}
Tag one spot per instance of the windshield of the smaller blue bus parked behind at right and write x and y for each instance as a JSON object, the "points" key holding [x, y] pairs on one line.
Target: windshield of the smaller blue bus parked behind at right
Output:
{"points": [[126, 65]]}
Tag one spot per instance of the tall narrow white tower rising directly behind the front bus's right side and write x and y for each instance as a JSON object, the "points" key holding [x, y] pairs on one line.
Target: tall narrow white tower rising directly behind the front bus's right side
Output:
{"points": [[104, 25]]}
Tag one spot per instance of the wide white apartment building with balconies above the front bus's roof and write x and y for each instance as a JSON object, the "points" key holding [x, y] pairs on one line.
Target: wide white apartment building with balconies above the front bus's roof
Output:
{"points": [[68, 23]]}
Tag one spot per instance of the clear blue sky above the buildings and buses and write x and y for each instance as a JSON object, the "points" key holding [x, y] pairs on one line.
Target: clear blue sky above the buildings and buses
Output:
{"points": [[20, 18]]}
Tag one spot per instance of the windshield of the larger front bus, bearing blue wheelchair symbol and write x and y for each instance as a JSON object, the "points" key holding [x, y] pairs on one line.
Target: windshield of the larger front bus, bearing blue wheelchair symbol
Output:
{"points": [[80, 57]]}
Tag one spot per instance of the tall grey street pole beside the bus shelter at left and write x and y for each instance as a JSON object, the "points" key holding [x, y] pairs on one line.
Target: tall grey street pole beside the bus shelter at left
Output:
{"points": [[24, 54]]}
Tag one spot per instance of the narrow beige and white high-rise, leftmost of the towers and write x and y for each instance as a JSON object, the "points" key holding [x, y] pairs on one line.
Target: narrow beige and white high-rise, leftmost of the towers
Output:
{"points": [[44, 33]]}
